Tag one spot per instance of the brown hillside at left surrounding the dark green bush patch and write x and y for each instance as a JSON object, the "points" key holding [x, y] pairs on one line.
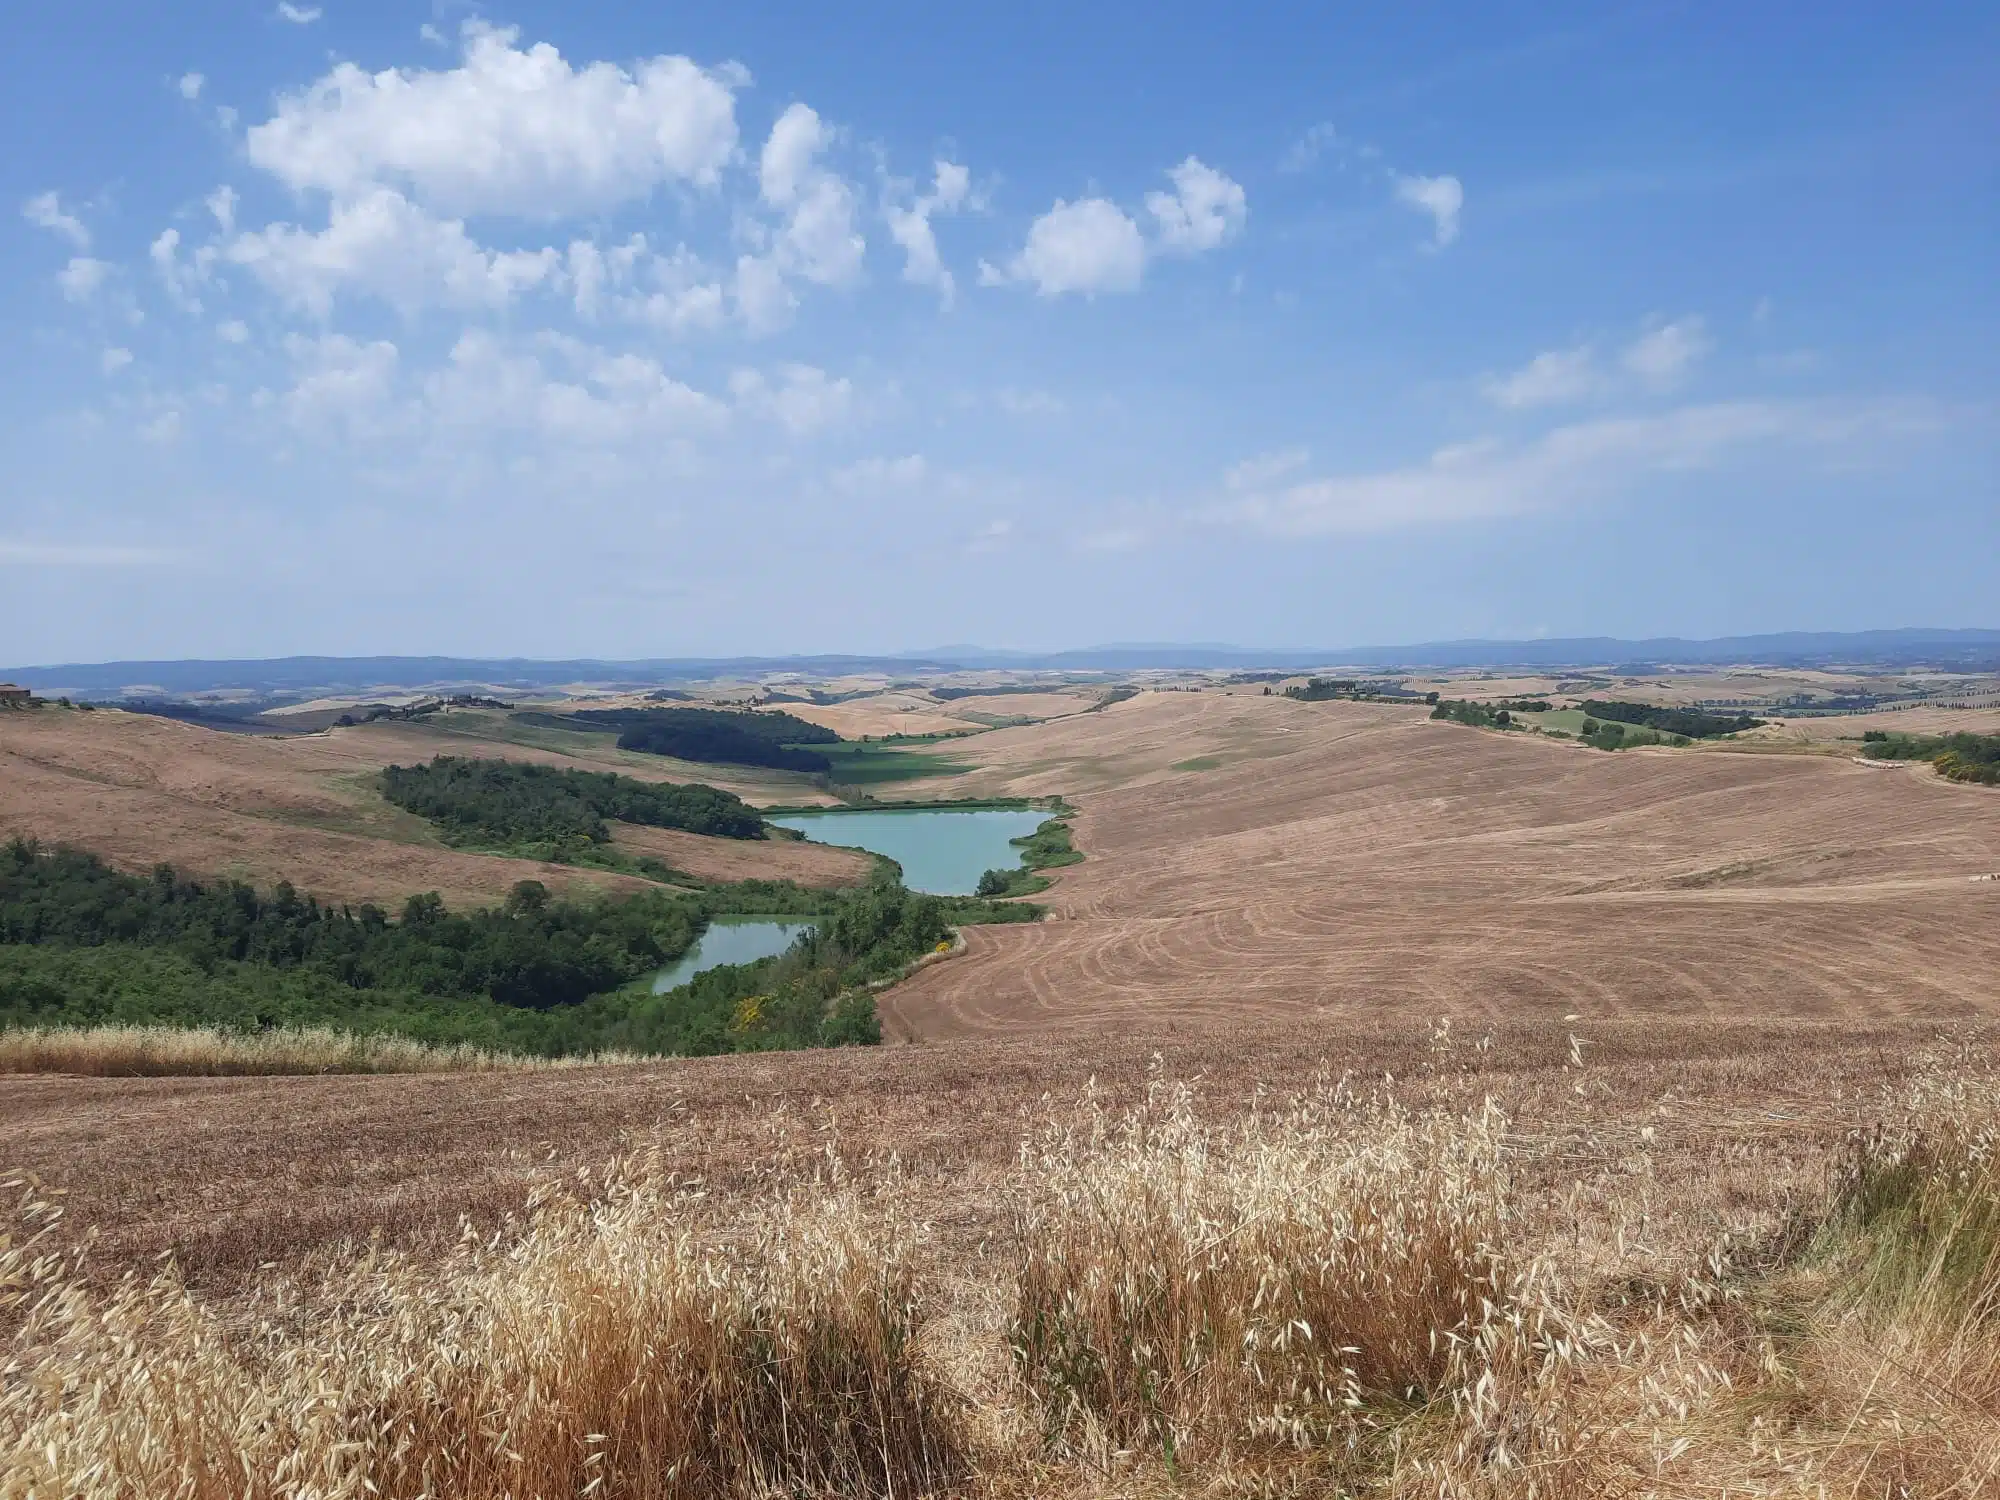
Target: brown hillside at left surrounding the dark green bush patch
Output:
{"points": [[143, 791]]}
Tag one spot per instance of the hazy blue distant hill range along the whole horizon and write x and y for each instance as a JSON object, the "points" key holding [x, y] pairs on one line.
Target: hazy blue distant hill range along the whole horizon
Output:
{"points": [[359, 675]]}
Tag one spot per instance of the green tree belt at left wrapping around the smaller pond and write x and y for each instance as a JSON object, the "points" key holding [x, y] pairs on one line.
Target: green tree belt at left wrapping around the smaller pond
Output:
{"points": [[83, 945]]}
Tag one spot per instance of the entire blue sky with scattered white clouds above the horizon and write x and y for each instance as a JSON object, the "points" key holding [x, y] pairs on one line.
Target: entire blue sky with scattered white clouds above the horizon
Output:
{"points": [[649, 331]]}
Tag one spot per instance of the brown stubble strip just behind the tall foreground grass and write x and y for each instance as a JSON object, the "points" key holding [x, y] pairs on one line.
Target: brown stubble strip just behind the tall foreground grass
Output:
{"points": [[235, 1175]]}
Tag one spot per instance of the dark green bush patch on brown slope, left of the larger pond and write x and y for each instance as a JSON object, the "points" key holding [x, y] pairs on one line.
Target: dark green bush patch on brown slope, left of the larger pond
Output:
{"points": [[513, 803]]}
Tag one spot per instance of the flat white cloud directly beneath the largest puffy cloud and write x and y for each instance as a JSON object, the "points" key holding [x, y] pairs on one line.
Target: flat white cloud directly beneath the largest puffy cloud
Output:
{"points": [[391, 249]]}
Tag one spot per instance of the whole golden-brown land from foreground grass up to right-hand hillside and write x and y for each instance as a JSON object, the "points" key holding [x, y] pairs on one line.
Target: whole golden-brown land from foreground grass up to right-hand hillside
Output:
{"points": [[1389, 1109]]}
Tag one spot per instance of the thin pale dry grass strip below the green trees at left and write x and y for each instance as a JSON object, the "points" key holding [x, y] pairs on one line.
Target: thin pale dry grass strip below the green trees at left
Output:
{"points": [[215, 1053]]}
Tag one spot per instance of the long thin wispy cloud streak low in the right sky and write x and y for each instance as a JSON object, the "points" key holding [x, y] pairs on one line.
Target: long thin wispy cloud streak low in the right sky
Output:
{"points": [[1573, 465]]}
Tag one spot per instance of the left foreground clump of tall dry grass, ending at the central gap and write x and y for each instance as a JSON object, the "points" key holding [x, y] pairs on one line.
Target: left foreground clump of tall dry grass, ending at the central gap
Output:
{"points": [[611, 1351]]}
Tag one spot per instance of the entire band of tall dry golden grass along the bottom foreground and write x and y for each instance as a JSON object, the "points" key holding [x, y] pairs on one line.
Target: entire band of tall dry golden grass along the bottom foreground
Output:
{"points": [[1333, 1293]]}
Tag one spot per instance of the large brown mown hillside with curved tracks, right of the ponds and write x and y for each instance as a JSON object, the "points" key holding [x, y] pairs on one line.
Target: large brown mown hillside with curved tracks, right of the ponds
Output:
{"points": [[1357, 859]]}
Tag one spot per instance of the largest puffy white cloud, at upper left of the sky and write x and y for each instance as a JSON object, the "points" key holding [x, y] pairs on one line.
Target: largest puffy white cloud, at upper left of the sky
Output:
{"points": [[507, 133]]}
